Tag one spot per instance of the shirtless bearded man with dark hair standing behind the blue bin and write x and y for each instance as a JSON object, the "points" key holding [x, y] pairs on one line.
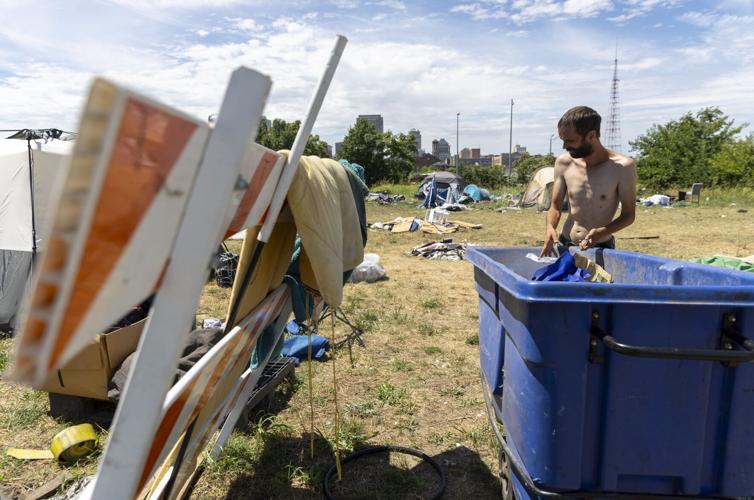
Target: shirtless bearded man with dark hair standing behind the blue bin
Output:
{"points": [[596, 180]]}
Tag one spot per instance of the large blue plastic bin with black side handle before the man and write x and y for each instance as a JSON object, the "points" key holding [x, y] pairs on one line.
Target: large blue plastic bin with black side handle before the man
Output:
{"points": [[593, 398]]}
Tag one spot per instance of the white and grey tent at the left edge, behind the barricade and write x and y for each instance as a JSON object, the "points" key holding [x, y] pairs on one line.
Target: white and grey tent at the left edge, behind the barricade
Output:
{"points": [[28, 171]]}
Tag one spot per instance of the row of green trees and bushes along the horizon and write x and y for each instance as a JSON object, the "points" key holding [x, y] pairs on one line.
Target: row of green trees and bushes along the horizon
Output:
{"points": [[705, 146]]}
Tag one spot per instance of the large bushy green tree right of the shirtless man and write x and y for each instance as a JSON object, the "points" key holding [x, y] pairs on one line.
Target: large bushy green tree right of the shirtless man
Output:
{"points": [[679, 153]]}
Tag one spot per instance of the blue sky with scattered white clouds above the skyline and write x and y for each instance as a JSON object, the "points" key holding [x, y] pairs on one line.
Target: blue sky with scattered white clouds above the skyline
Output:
{"points": [[416, 63]]}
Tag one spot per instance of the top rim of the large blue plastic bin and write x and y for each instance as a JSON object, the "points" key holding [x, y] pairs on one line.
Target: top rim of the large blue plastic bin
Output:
{"points": [[525, 289]]}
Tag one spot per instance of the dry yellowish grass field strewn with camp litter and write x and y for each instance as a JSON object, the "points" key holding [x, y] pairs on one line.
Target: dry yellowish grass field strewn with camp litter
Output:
{"points": [[415, 383]]}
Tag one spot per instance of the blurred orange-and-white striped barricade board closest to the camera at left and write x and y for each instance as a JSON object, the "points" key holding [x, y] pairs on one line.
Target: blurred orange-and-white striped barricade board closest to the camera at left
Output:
{"points": [[115, 221]]}
